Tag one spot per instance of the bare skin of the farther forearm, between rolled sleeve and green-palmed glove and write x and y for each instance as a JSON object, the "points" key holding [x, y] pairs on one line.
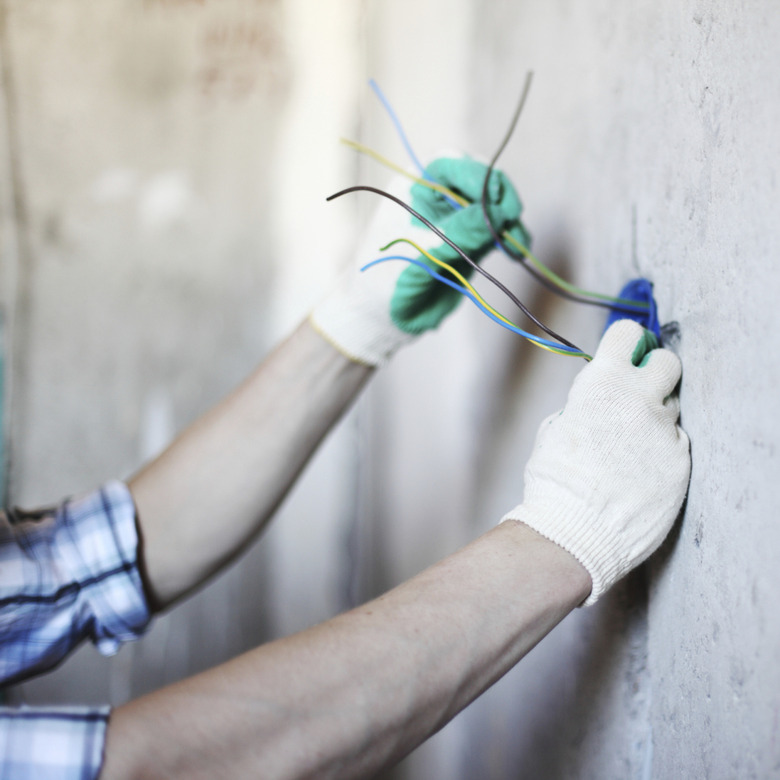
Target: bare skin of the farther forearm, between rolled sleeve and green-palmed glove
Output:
{"points": [[220, 481]]}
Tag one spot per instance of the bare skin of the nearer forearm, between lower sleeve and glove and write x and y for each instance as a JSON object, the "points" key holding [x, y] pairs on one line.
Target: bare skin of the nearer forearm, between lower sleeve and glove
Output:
{"points": [[357, 693]]}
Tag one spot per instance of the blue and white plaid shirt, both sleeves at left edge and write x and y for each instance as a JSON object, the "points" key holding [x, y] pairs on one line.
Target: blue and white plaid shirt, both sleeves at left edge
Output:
{"points": [[66, 574]]}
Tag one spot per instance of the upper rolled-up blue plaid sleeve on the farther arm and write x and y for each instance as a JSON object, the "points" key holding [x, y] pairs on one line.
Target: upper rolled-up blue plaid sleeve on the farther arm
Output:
{"points": [[68, 574]]}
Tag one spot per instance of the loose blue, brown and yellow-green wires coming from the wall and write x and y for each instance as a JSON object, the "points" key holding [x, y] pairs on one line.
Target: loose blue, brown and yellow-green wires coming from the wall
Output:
{"points": [[519, 252]]}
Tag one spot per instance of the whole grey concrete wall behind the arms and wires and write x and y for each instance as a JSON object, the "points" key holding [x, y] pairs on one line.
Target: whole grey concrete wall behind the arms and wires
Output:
{"points": [[163, 170]]}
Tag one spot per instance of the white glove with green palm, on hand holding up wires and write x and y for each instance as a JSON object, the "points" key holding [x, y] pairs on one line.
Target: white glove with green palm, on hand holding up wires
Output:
{"points": [[372, 313]]}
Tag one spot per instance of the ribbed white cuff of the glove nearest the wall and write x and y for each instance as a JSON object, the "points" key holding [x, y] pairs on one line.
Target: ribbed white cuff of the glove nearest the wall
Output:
{"points": [[576, 529]]}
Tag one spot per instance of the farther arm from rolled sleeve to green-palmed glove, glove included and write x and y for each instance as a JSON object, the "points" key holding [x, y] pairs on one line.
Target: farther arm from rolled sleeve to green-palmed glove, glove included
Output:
{"points": [[215, 488]]}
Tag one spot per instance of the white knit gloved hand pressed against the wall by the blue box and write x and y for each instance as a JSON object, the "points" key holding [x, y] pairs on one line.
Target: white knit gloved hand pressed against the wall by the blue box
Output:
{"points": [[609, 473]]}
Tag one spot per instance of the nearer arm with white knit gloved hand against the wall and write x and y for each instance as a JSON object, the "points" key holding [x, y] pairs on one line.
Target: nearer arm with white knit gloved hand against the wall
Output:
{"points": [[606, 479]]}
